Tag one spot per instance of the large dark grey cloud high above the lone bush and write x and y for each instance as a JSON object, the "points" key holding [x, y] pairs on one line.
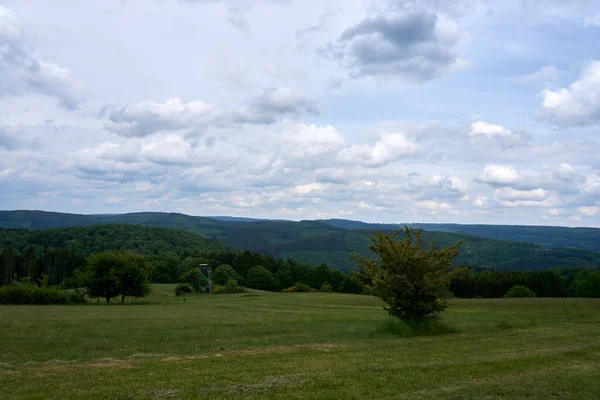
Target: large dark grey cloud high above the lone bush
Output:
{"points": [[416, 46]]}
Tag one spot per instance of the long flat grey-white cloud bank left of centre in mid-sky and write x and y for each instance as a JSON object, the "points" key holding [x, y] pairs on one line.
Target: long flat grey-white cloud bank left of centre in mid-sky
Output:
{"points": [[148, 117]]}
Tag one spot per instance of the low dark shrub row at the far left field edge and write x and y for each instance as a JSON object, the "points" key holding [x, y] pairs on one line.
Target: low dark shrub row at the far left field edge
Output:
{"points": [[31, 294]]}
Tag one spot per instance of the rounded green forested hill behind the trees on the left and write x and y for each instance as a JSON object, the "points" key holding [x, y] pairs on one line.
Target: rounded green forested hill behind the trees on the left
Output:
{"points": [[144, 240]]}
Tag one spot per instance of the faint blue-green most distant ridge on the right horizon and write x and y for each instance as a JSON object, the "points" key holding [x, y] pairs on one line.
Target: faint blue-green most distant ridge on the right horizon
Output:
{"points": [[547, 236]]}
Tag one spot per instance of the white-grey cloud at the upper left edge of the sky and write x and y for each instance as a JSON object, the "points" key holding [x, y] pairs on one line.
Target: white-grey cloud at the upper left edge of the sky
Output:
{"points": [[23, 74]]}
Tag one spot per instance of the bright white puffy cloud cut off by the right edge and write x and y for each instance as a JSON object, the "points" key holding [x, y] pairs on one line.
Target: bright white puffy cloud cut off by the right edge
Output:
{"points": [[577, 105]]}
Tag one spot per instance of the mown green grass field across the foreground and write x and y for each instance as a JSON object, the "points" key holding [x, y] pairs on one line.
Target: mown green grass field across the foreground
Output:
{"points": [[298, 346]]}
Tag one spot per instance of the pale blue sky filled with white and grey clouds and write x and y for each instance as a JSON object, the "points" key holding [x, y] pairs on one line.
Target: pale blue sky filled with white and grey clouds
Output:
{"points": [[468, 111]]}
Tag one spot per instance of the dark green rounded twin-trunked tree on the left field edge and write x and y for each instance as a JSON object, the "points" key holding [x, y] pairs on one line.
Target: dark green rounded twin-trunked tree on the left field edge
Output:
{"points": [[110, 274]]}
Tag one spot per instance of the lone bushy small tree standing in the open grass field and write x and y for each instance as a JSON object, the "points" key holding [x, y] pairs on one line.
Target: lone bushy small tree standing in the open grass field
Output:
{"points": [[412, 280]]}
